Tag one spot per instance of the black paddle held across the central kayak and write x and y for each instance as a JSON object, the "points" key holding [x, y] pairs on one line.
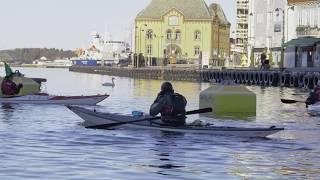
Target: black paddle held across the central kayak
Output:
{"points": [[104, 126]]}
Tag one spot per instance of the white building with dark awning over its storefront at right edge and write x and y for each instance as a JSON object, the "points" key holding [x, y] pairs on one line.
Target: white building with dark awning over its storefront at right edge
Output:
{"points": [[303, 34]]}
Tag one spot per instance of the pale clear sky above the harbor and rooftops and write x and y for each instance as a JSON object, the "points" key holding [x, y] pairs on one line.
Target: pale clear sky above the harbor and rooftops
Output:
{"points": [[67, 24]]}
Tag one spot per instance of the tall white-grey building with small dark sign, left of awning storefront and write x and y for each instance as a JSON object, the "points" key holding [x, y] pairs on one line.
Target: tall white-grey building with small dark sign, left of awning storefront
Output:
{"points": [[266, 30]]}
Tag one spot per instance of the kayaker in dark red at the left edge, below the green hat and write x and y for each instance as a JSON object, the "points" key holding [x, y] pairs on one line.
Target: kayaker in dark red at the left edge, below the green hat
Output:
{"points": [[8, 87]]}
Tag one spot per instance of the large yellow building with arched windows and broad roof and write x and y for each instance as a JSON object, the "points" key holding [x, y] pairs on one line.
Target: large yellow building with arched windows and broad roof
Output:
{"points": [[176, 31]]}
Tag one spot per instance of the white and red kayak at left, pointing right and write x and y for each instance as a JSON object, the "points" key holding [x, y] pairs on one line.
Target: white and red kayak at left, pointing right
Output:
{"points": [[43, 98]]}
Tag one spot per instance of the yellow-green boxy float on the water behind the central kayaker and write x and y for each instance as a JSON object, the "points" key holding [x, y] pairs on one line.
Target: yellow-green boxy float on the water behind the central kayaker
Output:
{"points": [[228, 102]]}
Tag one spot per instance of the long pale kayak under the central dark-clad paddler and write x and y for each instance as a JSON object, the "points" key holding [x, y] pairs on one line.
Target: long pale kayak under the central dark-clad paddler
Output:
{"points": [[92, 118]]}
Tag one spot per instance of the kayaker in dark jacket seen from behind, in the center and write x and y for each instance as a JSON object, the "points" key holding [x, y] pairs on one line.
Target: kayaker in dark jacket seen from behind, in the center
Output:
{"points": [[171, 105]]}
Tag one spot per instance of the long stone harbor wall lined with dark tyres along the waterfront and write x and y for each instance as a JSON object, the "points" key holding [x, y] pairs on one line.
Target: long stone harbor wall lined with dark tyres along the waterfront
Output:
{"points": [[306, 78]]}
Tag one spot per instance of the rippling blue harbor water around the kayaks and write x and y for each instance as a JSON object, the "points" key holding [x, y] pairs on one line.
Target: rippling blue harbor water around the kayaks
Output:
{"points": [[48, 141]]}
